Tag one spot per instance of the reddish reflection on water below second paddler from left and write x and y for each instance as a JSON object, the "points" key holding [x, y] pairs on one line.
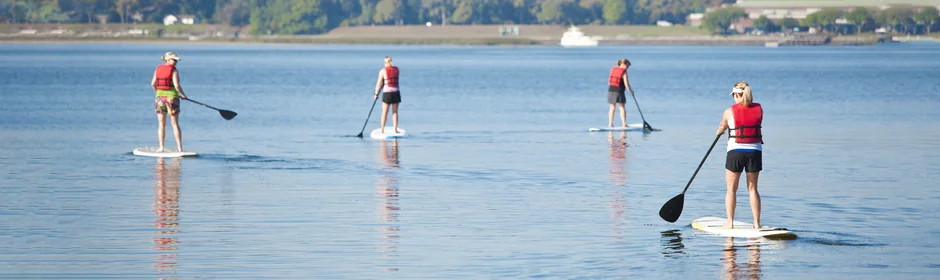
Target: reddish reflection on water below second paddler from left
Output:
{"points": [[387, 189]]}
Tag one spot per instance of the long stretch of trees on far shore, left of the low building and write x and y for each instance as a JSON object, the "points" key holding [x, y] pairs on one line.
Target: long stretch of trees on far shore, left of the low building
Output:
{"points": [[318, 16]]}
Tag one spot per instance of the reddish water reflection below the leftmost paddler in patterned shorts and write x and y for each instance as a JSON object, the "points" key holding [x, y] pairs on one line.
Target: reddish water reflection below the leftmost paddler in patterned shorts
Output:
{"points": [[166, 209]]}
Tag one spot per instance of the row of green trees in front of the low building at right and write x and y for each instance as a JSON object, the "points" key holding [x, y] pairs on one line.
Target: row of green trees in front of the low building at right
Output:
{"points": [[897, 19]]}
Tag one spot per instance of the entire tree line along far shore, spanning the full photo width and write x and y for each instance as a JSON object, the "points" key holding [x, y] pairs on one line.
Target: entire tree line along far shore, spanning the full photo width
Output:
{"points": [[318, 16]]}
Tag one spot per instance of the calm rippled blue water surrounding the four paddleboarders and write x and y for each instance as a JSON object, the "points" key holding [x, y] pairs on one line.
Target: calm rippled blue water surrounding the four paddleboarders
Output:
{"points": [[498, 178]]}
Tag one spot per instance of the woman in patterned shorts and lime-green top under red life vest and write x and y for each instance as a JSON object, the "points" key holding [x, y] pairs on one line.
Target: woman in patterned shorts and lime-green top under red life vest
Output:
{"points": [[166, 82]]}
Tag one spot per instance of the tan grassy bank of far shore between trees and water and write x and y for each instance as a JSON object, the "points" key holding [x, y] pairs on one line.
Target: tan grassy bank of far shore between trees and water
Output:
{"points": [[529, 35]]}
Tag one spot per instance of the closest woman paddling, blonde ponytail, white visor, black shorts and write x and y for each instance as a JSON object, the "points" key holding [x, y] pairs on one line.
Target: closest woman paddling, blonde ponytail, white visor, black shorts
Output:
{"points": [[743, 122]]}
